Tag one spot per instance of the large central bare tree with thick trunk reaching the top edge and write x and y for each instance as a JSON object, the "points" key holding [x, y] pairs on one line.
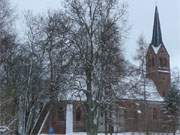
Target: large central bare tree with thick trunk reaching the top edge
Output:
{"points": [[91, 37]]}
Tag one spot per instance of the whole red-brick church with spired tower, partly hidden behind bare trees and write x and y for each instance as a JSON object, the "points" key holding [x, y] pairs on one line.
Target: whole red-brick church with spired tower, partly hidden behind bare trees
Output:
{"points": [[139, 115]]}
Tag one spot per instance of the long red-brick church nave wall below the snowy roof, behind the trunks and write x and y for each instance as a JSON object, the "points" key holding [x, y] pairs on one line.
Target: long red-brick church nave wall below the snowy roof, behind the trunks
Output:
{"points": [[127, 115]]}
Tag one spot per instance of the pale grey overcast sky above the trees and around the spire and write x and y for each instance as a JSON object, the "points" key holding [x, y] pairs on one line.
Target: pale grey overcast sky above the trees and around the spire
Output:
{"points": [[141, 14]]}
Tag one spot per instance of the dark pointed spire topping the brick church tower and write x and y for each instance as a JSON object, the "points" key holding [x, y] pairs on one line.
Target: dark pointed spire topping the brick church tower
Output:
{"points": [[157, 37]]}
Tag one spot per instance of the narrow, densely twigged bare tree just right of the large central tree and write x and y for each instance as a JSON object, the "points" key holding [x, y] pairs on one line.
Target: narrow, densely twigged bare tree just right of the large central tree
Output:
{"points": [[109, 71]]}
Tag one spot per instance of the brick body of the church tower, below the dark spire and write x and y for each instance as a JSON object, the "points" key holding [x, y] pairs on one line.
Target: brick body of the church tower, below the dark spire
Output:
{"points": [[158, 71]]}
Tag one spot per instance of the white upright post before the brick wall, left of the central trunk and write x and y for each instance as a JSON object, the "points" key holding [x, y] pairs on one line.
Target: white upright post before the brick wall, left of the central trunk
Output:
{"points": [[69, 119]]}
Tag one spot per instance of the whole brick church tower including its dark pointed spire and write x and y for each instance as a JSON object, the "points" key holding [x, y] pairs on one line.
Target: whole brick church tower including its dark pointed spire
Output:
{"points": [[158, 59]]}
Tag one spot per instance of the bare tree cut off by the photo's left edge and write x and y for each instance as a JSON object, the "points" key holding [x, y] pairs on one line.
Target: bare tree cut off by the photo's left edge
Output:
{"points": [[7, 51]]}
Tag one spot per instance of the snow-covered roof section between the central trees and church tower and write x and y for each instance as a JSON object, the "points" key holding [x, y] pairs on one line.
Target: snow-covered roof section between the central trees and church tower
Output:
{"points": [[140, 89]]}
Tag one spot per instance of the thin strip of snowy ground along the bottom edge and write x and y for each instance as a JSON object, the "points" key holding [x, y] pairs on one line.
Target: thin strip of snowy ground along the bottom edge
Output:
{"points": [[124, 133]]}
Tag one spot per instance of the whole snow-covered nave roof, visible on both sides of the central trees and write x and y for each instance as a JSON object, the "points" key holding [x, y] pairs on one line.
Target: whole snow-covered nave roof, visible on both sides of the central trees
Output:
{"points": [[130, 87]]}
